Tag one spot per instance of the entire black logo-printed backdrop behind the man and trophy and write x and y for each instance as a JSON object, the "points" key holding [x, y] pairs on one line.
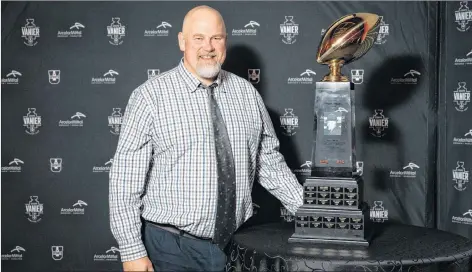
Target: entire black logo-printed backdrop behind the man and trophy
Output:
{"points": [[68, 69]]}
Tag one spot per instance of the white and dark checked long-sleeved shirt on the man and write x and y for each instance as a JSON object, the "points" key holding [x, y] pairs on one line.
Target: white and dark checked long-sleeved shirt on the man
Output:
{"points": [[164, 168]]}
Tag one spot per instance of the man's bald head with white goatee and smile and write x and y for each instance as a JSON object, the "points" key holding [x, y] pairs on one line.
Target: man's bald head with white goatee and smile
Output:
{"points": [[203, 41]]}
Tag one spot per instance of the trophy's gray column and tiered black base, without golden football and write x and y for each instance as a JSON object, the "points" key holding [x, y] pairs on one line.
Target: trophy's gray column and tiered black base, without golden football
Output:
{"points": [[331, 211]]}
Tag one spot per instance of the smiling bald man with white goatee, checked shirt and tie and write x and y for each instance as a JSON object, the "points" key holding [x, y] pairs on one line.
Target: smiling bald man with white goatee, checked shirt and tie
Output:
{"points": [[193, 140]]}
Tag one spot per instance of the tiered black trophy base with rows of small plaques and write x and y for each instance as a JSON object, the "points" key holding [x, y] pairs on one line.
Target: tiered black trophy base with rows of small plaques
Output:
{"points": [[331, 213]]}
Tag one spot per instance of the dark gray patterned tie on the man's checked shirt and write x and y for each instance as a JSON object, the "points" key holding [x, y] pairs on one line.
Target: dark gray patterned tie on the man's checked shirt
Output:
{"points": [[225, 224]]}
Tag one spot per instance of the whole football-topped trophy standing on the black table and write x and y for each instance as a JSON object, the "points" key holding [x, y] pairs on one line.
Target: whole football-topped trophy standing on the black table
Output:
{"points": [[332, 210]]}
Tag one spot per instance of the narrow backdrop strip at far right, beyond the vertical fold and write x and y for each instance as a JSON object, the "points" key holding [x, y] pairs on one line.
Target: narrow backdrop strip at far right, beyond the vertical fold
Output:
{"points": [[454, 197]]}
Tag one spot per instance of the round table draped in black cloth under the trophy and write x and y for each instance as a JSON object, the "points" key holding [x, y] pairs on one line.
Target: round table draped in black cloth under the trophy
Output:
{"points": [[393, 248]]}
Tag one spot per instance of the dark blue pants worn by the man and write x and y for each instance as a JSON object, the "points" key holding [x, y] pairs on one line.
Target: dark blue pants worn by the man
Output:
{"points": [[173, 252]]}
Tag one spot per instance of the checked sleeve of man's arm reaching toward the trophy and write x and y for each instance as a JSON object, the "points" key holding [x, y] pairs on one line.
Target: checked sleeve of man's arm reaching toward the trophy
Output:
{"points": [[272, 170]]}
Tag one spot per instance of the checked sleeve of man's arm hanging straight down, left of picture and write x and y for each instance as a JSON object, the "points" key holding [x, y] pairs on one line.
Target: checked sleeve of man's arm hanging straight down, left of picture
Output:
{"points": [[128, 177]]}
